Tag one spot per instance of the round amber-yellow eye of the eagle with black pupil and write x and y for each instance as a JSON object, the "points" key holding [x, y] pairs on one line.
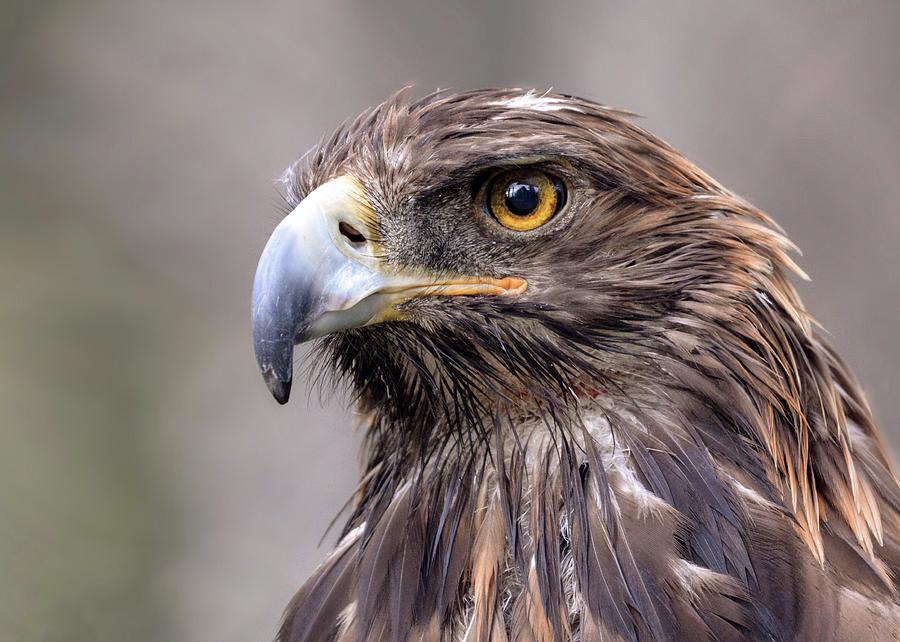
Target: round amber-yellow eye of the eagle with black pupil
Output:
{"points": [[525, 199]]}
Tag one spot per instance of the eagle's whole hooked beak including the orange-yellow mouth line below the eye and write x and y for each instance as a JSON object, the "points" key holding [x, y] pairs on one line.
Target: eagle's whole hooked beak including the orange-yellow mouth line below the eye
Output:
{"points": [[320, 273]]}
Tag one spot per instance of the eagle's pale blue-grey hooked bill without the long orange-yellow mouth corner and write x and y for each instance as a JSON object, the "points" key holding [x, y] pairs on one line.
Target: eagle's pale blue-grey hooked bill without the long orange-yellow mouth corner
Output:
{"points": [[316, 267]]}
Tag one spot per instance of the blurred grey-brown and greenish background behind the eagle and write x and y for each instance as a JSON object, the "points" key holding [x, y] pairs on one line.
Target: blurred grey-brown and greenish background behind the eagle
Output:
{"points": [[150, 489]]}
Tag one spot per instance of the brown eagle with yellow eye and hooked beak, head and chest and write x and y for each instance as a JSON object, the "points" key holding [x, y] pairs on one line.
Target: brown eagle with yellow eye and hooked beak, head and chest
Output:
{"points": [[594, 406]]}
